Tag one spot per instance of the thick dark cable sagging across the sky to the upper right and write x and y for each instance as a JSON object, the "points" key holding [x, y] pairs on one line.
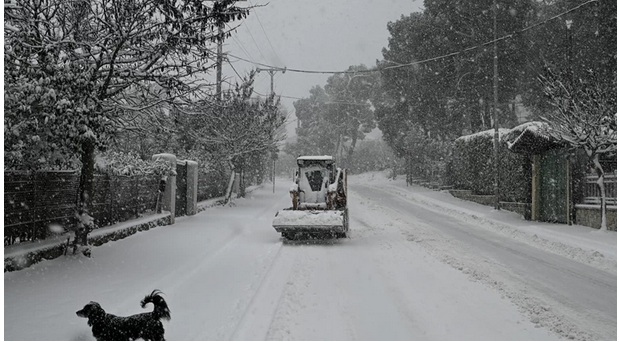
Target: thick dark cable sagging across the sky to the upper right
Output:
{"points": [[432, 59]]}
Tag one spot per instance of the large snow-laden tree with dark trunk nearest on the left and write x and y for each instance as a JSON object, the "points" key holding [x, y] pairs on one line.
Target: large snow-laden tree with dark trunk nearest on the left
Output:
{"points": [[72, 66]]}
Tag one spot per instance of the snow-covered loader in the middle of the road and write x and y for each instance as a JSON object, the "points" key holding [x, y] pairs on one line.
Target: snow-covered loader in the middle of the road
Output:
{"points": [[318, 200]]}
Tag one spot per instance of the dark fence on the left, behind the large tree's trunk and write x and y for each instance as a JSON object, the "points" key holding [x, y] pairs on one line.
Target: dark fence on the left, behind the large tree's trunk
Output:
{"points": [[35, 203]]}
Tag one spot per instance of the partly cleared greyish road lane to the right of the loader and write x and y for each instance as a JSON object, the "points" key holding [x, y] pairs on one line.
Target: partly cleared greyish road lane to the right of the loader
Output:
{"points": [[574, 299]]}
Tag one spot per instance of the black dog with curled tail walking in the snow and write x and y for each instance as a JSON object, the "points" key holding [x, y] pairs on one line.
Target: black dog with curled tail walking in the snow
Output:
{"points": [[147, 325]]}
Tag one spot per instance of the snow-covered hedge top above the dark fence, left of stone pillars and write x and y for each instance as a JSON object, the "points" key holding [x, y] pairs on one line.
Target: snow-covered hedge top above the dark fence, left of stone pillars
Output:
{"points": [[129, 164]]}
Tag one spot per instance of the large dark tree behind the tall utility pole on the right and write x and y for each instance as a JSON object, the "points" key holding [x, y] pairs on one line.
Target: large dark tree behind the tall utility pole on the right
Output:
{"points": [[452, 96]]}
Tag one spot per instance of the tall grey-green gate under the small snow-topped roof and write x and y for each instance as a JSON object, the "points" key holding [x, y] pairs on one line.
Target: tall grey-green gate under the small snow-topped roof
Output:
{"points": [[554, 202]]}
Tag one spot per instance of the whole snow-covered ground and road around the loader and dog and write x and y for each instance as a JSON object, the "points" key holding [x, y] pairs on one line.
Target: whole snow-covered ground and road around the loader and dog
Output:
{"points": [[419, 265]]}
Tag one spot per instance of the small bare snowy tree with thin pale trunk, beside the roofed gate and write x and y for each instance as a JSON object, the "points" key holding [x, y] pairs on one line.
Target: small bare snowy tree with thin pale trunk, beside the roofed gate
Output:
{"points": [[585, 116]]}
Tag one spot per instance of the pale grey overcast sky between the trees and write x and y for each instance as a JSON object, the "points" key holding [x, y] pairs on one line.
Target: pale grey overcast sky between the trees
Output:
{"points": [[313, 35]]}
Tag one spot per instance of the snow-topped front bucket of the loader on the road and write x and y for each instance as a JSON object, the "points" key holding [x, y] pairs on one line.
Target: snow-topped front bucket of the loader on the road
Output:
{"points": [[311, 221]]}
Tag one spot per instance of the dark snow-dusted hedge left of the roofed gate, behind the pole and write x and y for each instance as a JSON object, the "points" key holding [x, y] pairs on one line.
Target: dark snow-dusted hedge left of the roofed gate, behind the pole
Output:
{"points": [[472, 167]]}
